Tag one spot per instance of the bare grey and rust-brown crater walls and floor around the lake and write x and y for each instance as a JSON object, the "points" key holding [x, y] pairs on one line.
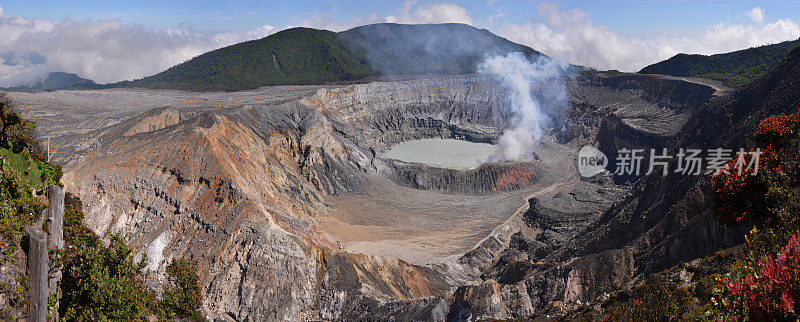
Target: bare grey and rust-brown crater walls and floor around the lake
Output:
{"points": [[263, 189]]}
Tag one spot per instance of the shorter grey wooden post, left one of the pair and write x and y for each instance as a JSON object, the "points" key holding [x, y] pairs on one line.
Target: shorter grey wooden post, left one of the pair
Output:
{"points": [[37, 274]]}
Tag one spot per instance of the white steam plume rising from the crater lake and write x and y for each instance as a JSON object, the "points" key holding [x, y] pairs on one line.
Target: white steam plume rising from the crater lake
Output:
{"points": [[534, 88]]}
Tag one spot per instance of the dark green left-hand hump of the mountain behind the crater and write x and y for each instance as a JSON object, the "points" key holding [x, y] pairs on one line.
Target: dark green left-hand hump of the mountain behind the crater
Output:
{"points": [[293, 56]]}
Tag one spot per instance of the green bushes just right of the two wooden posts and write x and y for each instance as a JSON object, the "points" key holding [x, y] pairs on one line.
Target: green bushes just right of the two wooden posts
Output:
{"points": [[103, 282]]}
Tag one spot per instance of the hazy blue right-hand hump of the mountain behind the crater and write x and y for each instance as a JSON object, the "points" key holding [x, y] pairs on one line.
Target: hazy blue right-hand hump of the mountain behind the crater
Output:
{"points": [[433, 48]]}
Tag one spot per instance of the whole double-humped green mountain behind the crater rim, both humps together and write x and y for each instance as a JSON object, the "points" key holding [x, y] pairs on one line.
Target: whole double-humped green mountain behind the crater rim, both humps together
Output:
{"points": [[310, 56]]}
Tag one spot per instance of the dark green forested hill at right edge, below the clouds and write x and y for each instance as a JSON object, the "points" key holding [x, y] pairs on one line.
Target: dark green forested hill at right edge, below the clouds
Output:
{"points": [[734, 69]]}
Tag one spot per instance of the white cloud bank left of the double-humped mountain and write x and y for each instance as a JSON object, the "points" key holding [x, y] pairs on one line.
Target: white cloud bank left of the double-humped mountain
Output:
{"points": [[104, 51]]}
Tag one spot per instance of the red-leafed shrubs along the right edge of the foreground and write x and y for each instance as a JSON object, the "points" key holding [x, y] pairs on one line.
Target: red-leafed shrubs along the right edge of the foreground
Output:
{"points": [[765, 283]]}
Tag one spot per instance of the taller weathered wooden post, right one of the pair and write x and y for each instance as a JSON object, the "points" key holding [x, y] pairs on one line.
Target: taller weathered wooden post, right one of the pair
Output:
{"points": [[55, 210]]}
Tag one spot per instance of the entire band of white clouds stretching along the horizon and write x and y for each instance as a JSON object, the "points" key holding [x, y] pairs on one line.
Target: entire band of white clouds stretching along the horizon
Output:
{"points": [[110, 51]]}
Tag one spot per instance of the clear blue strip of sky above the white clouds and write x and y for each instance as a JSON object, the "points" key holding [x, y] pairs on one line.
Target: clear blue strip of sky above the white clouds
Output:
{"points": [[630, 17]]}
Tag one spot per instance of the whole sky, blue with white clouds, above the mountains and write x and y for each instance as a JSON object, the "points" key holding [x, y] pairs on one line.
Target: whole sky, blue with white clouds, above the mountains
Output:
{"points": [[109, 41]]}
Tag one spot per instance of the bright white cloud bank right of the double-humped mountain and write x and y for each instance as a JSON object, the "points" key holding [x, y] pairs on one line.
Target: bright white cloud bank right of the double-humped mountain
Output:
{"points": [[571, 36]]}
